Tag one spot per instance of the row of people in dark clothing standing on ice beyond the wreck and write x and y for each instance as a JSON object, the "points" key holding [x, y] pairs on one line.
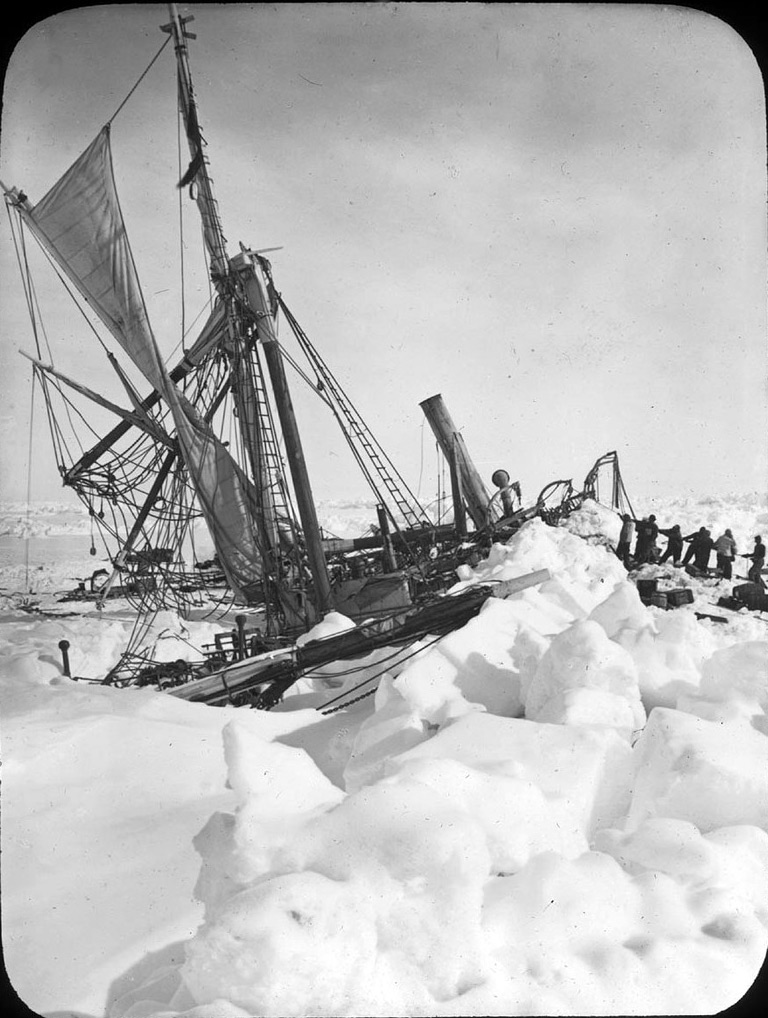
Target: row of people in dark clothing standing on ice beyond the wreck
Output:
{"points": [[701, 545]]}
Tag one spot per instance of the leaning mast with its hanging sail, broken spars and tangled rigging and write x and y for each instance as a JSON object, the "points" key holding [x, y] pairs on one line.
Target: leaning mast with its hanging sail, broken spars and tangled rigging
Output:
{"points": [[163, 466]]}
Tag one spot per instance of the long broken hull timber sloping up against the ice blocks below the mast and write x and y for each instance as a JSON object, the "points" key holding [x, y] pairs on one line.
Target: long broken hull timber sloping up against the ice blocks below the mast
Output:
{"points": [[277, 670]]}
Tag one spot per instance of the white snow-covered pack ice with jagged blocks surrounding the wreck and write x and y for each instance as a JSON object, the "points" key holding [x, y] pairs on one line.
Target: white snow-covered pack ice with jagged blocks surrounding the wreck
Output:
{"points": [[561, 809]]}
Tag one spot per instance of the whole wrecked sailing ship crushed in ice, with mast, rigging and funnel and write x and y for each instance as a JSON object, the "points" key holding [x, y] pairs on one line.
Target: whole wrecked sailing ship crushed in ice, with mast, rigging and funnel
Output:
{"points": [[174, 458]]}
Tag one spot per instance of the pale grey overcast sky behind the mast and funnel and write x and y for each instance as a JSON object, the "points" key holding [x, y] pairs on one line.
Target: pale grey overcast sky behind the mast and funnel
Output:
{"points": [[555, 215]]}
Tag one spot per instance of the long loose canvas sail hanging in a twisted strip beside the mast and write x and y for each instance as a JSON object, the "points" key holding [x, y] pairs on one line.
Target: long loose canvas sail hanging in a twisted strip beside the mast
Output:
{"points": [[81, 223]]}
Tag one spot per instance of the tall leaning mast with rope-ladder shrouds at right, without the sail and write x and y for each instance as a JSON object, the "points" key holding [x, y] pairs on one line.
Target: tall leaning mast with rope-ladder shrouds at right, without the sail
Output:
{"points": [[255, 300]]}
